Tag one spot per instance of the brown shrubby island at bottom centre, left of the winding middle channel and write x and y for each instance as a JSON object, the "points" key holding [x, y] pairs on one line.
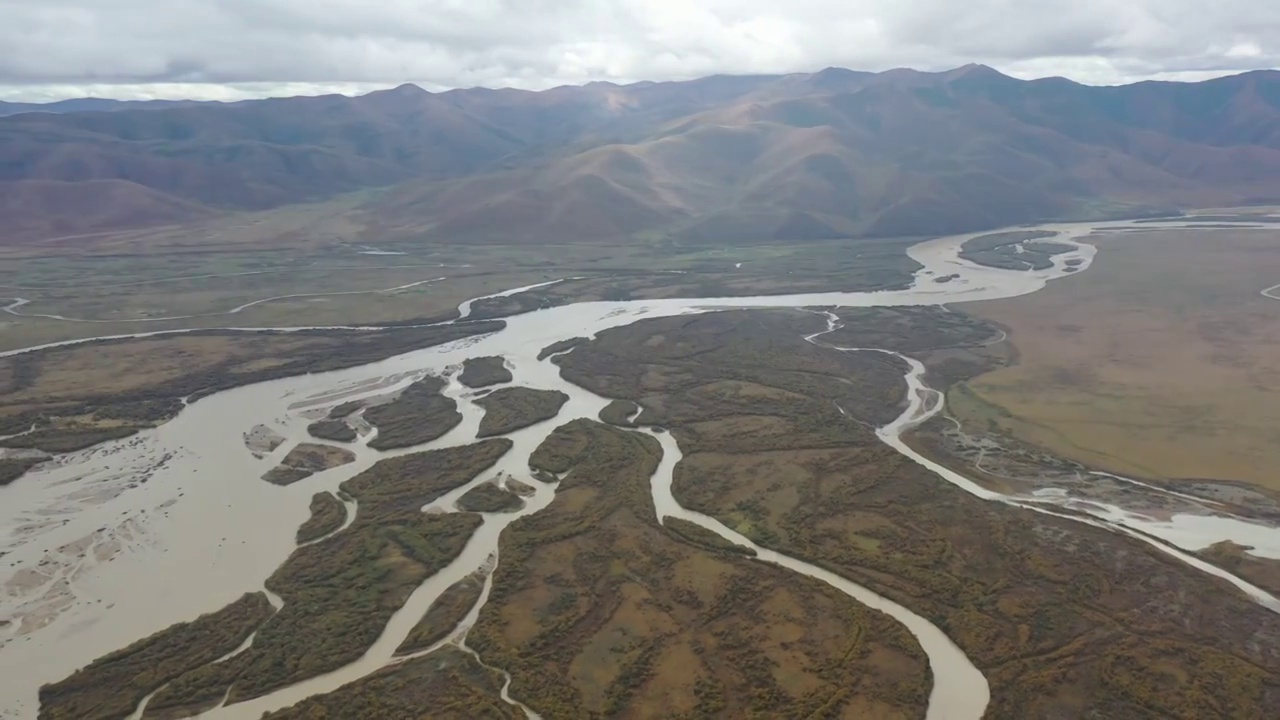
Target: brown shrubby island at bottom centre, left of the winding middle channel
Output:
{"points": [[597, 610]]}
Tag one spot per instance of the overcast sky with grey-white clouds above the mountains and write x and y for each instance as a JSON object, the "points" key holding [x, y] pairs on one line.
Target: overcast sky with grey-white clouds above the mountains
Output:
{"points": [[230, 49]]}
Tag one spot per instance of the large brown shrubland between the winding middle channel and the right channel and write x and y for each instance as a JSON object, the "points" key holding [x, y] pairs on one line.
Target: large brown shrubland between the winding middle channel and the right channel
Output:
{"points": [[1064, 619]]}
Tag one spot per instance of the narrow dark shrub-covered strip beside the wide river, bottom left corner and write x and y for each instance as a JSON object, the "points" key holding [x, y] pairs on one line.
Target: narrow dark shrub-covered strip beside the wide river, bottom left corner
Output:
{"points": [[113, 686]]}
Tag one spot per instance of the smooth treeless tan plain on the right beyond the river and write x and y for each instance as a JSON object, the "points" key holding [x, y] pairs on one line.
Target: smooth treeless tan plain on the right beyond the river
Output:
{"points": [[1163, 361]]}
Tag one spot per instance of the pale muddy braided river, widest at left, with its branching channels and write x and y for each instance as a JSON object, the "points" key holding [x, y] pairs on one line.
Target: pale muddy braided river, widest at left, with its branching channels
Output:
{"points": [[125, 540]]}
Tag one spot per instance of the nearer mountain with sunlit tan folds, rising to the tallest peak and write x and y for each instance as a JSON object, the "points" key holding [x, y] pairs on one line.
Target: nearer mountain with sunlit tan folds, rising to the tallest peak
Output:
{"points": [[913, 154]]}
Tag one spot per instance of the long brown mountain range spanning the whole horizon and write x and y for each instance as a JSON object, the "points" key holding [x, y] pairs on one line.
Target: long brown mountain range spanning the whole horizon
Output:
{"points": [[719, 160]]}
